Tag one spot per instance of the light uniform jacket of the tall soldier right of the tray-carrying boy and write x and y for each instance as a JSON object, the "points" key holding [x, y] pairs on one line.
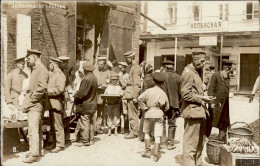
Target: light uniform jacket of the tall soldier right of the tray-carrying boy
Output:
{"points": [[134, 82]]}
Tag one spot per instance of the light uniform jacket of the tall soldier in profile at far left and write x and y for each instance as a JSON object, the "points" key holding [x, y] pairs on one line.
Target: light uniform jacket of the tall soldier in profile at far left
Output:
{"points": [[36, 94]]}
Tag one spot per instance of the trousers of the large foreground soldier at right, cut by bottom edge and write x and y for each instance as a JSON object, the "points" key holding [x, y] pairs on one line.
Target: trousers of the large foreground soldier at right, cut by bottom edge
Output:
{"points": [[194, 139]]}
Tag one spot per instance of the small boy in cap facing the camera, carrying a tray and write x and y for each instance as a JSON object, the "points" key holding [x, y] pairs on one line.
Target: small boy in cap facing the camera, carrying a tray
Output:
{"points": [[113, 104]]}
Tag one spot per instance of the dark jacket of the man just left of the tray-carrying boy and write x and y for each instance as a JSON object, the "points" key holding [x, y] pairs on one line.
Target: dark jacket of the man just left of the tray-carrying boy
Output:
{"points": [[86, 97]]}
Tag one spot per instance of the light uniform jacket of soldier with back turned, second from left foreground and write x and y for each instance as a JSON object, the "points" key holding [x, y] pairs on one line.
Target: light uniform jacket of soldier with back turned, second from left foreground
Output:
{"points": [[56, 87]]}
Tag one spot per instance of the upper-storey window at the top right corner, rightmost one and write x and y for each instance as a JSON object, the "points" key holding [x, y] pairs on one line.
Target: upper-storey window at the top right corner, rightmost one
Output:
{"points": [[252, 10]]}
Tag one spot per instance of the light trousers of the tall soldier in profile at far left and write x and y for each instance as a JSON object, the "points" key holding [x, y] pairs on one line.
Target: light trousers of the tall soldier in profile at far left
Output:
{"points": [[35, 133]]}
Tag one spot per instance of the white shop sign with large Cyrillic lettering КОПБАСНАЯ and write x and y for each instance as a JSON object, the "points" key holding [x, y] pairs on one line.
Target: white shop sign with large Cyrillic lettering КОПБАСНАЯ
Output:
{"points": [[205, 26]]}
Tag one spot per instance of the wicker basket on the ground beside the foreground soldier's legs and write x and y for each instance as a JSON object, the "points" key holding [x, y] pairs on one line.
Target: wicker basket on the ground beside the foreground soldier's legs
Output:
{"points": [[213, 150]]}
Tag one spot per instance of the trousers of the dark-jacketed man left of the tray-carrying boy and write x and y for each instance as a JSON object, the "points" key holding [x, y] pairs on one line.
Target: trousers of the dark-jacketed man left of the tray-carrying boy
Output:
{"points": [[86, 126]]}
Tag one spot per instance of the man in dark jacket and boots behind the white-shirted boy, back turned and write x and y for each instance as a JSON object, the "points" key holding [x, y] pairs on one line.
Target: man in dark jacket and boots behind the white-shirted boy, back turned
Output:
{"points": [[172, 88]]}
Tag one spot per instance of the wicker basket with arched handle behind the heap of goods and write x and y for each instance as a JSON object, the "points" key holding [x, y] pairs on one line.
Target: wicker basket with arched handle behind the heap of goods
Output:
{"points": [[240, 132]]}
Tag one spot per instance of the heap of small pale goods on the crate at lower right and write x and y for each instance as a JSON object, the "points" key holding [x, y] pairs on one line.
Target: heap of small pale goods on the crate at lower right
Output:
{"points": [[241, 145]]}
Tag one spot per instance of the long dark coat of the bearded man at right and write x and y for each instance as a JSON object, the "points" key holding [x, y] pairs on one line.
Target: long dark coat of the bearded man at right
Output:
{"points": [[219, 88]]}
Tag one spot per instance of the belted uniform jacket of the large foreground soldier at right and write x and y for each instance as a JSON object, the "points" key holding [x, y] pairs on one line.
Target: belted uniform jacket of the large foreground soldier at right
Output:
{"points": [[191, 92]]}
